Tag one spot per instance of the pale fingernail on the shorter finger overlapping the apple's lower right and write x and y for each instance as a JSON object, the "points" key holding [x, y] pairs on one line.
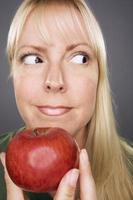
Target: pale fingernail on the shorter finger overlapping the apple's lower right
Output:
{"points": [[72, 177]]}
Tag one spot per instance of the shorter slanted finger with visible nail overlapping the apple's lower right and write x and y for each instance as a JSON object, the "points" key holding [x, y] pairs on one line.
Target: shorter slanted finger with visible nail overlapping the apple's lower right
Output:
{"points": [[67, 186]]}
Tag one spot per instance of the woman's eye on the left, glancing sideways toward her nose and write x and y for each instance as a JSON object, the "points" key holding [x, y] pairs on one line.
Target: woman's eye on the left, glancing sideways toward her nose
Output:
{"points": [[31, 59]]}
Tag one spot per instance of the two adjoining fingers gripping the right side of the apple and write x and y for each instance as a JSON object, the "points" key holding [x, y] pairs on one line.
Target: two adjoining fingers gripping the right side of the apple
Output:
{"points": [[67, 186]]}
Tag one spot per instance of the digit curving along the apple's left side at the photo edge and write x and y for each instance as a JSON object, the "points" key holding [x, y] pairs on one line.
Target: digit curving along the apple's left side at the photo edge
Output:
{"points": [[13, 191]]}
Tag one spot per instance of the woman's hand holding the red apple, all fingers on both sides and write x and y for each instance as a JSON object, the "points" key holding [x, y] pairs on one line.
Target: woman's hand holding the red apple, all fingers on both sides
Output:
{"points": [[67, 186]]}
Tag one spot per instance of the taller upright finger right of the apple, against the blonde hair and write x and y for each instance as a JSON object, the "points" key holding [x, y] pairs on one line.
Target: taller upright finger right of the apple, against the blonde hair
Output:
{"points": [[87, 184]]}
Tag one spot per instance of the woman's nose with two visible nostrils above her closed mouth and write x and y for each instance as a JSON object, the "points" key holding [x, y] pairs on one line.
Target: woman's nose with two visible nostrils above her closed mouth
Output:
{"points": [[54, 81]]}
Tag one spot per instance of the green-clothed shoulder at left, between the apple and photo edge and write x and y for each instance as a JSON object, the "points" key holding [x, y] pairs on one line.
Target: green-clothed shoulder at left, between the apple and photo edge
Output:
{"points": [[6, 137]]}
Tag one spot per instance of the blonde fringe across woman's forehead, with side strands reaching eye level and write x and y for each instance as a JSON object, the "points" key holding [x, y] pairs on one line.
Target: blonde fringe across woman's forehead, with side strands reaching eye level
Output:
{"points": [[68, 18]]}
